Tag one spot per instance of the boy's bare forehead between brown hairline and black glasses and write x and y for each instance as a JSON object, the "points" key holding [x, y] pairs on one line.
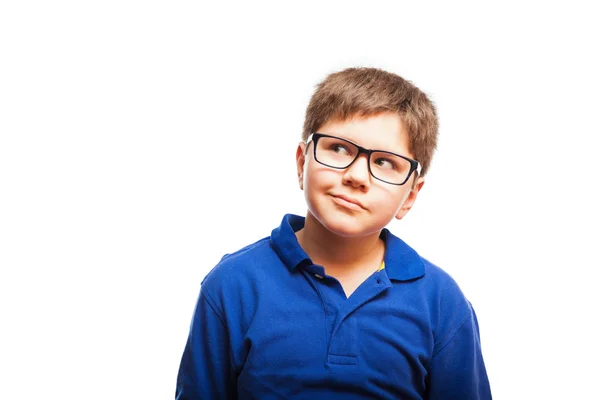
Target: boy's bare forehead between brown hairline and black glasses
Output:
{"points": [[384, 131]]}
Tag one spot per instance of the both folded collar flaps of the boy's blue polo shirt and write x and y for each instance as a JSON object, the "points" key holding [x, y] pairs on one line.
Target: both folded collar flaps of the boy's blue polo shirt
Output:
{"points": [[402, 263]]}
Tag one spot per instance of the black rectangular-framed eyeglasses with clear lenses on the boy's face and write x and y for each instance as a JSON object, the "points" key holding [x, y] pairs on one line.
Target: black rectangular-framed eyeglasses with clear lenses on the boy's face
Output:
{"points": [[338, 153]]}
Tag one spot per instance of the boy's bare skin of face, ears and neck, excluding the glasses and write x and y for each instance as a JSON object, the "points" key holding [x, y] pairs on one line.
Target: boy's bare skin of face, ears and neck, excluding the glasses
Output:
{"points": [[343, 238]]}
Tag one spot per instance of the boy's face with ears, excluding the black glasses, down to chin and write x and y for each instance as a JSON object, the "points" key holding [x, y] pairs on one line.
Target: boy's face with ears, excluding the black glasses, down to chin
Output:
{"points": [[378, 202]]}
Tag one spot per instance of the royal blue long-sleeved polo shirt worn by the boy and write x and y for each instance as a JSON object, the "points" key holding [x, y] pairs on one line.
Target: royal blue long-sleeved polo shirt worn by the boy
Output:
{"points": [[270, 324]]}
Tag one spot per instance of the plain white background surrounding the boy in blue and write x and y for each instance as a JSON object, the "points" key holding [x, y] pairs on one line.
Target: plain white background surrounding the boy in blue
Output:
{"points": [[142, 140]]}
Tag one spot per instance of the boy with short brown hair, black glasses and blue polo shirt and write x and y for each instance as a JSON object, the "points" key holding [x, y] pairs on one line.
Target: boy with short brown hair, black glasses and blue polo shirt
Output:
{"points": [[333, 305]]}
